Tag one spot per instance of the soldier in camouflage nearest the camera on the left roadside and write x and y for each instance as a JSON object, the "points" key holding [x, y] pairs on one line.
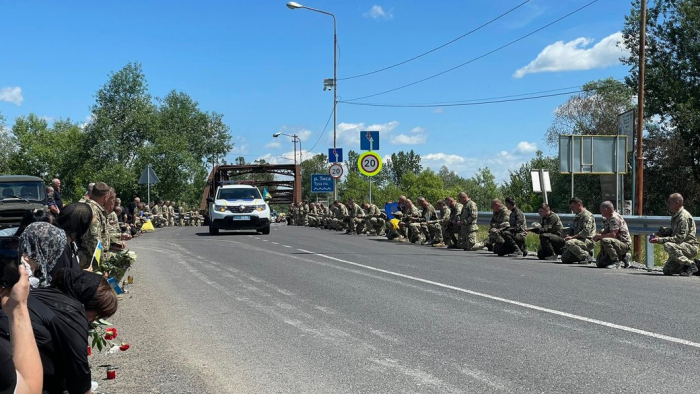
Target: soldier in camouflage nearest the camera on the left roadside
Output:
{"points": [[99, 227]]}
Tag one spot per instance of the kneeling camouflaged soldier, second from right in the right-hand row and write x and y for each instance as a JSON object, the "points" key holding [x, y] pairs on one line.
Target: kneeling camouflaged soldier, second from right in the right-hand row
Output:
{"points": [[614, 239]]}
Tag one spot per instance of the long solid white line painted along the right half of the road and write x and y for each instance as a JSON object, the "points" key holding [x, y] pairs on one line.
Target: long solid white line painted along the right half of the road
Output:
{"points": [[518, 303]]}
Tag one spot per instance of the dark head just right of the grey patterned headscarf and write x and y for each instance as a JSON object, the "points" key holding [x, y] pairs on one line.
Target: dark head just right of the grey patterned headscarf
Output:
{"points": [[75, 220]]}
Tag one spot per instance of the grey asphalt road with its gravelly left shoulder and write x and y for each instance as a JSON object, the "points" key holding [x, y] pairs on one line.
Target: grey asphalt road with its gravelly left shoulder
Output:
{"points": [[311, 311]]}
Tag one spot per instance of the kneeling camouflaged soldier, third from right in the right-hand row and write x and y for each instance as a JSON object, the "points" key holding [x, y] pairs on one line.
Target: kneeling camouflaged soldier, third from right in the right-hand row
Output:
{"points": [[579, 243]]}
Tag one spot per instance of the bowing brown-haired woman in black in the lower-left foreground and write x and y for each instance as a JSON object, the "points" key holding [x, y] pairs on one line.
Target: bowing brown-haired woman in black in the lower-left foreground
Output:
{"points": [[61, 317]]}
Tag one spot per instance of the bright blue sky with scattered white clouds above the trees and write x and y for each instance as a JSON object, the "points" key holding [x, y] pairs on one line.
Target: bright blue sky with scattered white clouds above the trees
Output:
{"points": [[262, 66]]}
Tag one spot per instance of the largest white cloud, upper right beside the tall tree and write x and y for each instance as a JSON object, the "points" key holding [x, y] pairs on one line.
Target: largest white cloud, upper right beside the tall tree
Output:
{"points": [[574, 55]]}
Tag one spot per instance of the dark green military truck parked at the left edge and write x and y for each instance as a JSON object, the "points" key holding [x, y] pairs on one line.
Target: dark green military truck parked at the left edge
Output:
{"points": [[20, 194]]}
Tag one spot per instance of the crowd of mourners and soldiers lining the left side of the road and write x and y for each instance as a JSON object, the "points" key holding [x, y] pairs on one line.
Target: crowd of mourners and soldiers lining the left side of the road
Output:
{"points": [[58, 247]]}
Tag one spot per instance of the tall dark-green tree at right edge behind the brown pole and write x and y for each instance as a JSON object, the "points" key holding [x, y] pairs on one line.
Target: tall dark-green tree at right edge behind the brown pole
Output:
{"points": [[672, 78]]}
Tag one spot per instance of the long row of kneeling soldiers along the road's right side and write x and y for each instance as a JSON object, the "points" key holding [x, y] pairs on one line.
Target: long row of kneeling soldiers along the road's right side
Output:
{"points": [[453, 224]]}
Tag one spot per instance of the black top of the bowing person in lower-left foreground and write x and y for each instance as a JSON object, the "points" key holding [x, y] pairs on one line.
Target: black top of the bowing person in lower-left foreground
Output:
{"points": [[61, 331]]}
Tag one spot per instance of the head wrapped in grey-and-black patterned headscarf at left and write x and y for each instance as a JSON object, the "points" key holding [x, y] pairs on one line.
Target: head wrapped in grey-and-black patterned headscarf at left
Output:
{"points": [[42, 245]]}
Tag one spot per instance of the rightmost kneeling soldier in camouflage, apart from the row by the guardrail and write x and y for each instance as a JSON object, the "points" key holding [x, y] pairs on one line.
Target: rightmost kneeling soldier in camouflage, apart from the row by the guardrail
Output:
{"points": [[680, 241]]}
